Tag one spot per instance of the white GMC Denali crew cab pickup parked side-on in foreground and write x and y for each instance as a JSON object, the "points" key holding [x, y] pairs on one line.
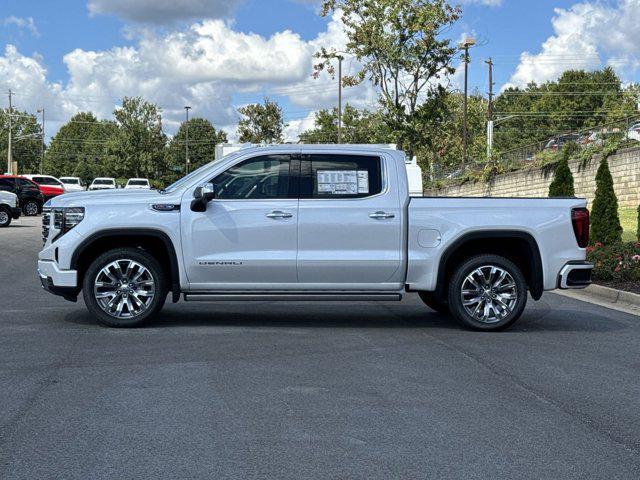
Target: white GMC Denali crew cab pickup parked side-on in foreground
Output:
{"points": [[309, 222]]}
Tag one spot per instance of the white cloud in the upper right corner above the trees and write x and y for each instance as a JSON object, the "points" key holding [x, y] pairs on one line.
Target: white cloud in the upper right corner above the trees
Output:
{"points": [[585, 36]]}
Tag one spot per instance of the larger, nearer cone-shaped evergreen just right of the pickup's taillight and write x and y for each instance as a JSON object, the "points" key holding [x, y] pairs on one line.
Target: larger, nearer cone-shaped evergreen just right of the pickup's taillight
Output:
{"points": [[605, 222]]}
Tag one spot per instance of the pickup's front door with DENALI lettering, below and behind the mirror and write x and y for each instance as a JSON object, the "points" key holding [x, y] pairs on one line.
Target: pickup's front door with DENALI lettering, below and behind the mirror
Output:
{"points": [[247, 237]]}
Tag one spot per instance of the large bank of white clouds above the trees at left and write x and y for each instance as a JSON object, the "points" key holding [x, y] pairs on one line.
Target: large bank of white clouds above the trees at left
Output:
{"points": [[208, 66]]}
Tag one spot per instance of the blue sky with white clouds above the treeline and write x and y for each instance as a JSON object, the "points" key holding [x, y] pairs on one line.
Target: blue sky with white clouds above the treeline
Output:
{"points": [[217, 55]]}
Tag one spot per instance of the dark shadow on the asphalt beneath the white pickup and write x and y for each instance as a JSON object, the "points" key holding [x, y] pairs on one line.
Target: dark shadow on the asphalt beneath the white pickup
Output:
{"points": [[322, 316]]}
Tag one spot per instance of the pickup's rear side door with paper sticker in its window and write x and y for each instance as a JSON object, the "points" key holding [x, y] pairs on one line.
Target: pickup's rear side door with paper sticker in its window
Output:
{"points": [[349, 225]]}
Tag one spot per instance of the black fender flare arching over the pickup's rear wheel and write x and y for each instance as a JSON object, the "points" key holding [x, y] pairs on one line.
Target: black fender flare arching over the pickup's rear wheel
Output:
{"points": [[536, 286]]}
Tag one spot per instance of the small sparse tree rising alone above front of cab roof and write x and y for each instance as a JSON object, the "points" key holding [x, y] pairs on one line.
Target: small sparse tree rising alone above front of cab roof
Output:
{"points": [[261, 123]]}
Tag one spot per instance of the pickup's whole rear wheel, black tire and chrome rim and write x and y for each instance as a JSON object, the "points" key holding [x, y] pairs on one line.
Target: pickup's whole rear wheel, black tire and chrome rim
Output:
{"points": [[513, 298]]}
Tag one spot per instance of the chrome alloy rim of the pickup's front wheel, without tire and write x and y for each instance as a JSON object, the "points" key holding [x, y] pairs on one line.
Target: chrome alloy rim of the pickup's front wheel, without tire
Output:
{"points": [[124, 288]]}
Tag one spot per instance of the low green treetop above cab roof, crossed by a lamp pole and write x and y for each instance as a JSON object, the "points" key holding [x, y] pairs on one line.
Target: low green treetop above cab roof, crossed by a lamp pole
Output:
{"points": [[358, 126]]}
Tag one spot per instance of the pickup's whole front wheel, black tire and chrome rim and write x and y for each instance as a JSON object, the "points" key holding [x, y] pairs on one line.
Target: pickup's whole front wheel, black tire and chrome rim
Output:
{"points": [[124, 287]]}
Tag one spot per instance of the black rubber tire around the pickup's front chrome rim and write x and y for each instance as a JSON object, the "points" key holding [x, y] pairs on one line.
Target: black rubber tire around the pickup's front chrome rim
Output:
{"points": [[157, 274]]}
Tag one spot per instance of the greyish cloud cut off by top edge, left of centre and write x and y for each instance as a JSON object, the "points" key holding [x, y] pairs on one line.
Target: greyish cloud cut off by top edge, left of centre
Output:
{"points": [[163, 11]]}
